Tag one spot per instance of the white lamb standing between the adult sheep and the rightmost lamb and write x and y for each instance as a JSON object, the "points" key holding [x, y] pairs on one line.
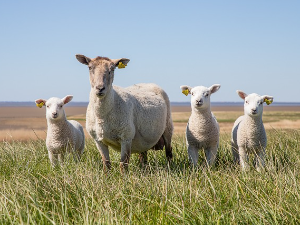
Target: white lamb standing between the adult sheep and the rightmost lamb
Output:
{"points": [[202, 131]]}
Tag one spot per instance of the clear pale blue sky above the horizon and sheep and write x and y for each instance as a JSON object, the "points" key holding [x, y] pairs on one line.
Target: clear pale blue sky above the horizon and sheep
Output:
{"points": [[249, 45]]}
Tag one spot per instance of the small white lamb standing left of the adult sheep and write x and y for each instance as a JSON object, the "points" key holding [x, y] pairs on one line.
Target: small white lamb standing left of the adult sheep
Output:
{"points": [[62, 135]]}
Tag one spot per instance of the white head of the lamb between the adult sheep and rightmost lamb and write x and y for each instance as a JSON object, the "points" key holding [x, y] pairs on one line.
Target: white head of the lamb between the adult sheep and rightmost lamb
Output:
{"points": [[200, 95]]}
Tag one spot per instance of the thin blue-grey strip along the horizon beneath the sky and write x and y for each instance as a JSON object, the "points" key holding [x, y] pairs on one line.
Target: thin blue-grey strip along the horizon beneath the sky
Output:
{"points": [[84, 104]]}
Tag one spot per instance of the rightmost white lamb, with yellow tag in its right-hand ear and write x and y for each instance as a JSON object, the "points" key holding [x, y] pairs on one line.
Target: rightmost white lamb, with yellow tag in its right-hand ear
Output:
{"points": [[248, 133]]}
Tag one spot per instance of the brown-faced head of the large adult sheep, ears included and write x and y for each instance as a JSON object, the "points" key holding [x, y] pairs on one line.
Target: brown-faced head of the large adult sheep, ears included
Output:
{"points": [[102, 72]]}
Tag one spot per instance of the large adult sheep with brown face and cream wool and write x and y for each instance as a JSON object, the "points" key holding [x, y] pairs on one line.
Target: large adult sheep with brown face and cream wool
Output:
{"points": [[129, 120]]}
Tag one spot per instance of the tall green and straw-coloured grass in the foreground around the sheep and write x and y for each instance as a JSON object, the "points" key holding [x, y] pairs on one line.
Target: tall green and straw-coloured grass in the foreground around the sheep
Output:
{"points": [[34, 193]]}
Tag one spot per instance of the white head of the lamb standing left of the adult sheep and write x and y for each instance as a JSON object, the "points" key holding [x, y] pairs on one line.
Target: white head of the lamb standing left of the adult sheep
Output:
{"points": [[54, 107]]}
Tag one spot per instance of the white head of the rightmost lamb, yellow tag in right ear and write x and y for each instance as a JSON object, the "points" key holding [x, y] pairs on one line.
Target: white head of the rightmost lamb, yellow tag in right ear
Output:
{"points": [[253, 103]]}
